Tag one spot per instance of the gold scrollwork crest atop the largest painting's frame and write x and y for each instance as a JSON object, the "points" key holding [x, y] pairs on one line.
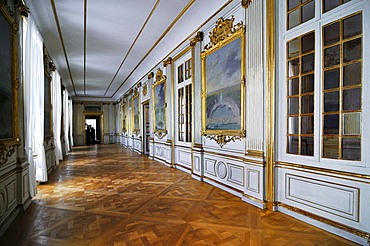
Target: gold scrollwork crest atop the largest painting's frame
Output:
{"points": [[223, 29]]}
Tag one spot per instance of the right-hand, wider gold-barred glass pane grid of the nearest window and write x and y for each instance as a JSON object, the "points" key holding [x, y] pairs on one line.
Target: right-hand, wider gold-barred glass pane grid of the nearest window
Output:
{"points": [[342, 88]]}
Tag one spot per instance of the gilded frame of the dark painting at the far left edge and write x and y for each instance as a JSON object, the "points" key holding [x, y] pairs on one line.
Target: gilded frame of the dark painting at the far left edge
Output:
{"points": [[15, 139]]}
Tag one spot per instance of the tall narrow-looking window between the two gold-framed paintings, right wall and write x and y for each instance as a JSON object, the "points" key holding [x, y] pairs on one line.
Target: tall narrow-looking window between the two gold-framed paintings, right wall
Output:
{"points": [[184, 101]]}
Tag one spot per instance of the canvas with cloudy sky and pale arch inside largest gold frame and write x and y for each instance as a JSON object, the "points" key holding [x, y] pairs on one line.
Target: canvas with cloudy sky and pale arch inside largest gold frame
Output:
{"points": [[223, 87]]}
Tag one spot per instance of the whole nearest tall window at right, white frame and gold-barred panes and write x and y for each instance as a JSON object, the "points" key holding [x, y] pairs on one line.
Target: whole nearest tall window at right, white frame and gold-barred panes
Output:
{"points": [[321, 81]]}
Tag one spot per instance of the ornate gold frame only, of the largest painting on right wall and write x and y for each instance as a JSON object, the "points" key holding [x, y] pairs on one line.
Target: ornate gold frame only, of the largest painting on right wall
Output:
{"points": [[224, 136]]}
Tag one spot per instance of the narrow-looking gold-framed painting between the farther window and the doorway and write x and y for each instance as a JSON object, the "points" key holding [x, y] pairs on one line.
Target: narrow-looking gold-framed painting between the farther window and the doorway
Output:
{"points": [[159, 104]]}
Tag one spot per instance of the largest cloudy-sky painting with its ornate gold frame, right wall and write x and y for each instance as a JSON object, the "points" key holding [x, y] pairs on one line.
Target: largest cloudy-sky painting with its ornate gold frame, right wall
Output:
{"points": [[223, 85]]}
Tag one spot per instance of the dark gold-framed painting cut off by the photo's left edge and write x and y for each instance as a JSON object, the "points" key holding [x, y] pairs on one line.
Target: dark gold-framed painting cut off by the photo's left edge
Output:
{"points": [[8, 80]]}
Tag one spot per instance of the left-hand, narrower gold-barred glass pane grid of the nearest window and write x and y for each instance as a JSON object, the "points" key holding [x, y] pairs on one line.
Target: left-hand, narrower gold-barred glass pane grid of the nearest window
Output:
{"points": [[300, 95]]}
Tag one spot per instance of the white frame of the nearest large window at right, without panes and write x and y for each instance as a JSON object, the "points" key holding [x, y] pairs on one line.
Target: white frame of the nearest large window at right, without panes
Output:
{"points": [[316, 24]]}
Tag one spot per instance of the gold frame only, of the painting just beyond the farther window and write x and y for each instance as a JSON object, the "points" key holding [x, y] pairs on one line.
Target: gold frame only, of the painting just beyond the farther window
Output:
{"points": [[160, 79]]}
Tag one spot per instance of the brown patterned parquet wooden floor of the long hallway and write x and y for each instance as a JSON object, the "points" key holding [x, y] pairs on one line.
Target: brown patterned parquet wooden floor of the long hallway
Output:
{"points": [[108, 195]]}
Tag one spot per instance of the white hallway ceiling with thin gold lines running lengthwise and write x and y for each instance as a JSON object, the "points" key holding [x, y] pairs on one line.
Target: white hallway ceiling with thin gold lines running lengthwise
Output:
{"points": [[102, 47]]}
